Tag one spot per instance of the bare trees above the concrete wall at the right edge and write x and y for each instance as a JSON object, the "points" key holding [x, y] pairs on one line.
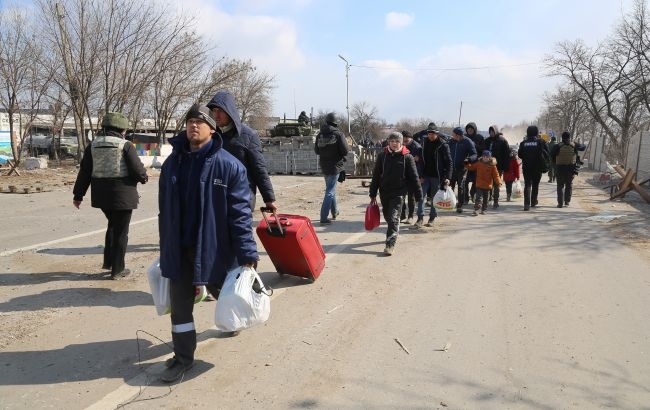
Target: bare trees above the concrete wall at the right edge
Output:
{"points": [[606, 89]]}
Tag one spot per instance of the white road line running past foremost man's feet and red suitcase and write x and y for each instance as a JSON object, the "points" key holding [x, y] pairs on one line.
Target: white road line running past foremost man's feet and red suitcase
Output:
{"points": [[135, 386]]}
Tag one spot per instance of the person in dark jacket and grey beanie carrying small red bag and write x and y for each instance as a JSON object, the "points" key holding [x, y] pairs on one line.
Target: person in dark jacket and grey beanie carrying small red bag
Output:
{"points": [[394, 175]]}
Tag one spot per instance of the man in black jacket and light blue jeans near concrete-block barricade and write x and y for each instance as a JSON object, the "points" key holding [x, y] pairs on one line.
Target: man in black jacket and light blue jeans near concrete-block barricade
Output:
{"points": [[332, 149]]}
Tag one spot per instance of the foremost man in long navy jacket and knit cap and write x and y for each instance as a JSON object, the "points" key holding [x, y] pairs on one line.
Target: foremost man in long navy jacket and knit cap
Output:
{"points": [[205, 226]]}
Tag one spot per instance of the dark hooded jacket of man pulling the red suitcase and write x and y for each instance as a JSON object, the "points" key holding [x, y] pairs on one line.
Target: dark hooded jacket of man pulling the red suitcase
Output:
{"points": [[244, 144]]}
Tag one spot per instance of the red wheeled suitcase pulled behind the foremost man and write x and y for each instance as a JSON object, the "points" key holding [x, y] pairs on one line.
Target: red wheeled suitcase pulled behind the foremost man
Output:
{"points": [[292, 244]]}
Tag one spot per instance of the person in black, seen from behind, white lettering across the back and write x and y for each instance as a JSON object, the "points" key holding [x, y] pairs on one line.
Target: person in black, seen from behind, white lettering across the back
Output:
{"points": [[534, 155]]}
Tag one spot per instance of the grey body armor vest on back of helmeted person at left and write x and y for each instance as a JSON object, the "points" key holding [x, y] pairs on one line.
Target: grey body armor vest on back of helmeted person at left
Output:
{"points": [[108, 157]]}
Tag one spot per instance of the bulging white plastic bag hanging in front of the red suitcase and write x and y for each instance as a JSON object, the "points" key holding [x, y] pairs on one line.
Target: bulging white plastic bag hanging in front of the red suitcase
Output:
{"points": [[239, 306]]}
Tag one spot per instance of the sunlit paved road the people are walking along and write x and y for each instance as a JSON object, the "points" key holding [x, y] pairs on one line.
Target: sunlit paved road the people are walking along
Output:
{"points": [[513, 309]]}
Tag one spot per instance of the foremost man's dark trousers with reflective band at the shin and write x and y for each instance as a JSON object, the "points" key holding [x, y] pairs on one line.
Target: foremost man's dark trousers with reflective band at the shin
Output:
{"points": [[182, 293]]}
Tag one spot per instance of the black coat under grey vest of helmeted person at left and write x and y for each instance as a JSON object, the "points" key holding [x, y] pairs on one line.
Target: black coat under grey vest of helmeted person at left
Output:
{"points": [[111, 193]]}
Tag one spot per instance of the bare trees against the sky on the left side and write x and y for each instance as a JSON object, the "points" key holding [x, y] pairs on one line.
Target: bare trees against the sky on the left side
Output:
{"points": [[83, 58]]}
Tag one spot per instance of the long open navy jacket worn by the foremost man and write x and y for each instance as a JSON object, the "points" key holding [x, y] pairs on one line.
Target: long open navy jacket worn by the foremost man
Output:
{"points": [[225, 238]]}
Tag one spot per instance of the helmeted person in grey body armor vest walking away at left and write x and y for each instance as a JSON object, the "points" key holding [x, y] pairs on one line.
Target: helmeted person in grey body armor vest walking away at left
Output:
{"points": [[112, 169]]}
